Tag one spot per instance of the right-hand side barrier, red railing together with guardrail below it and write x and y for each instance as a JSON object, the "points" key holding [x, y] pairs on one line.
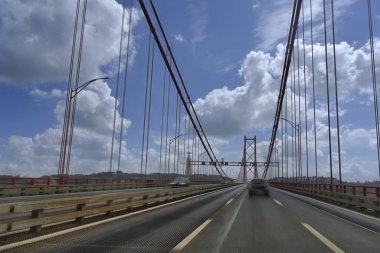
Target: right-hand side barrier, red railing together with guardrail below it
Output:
{"points": [[364, 202]]}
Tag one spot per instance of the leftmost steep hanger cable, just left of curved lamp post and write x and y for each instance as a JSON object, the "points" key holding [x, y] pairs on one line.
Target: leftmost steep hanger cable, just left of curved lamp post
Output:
{"points": [[62, 155]]}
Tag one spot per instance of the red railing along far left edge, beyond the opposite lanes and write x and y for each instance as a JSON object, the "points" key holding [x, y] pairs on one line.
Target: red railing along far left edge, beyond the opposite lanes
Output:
{"points": [[9, 181]]}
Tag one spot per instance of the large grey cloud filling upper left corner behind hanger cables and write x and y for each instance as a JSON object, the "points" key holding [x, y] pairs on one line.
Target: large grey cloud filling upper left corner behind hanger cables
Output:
{"points": [[37, 37]]}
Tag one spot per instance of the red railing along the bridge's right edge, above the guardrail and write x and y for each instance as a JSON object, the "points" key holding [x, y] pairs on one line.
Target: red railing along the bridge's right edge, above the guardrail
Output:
{"points": [[357, 189]]}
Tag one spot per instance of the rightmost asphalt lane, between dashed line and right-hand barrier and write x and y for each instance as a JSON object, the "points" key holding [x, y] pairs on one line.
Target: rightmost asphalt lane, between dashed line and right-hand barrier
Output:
{"points": [[347, 235]]}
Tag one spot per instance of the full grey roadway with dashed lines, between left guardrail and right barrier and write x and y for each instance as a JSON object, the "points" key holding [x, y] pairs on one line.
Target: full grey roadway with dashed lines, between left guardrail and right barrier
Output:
{"points": [[228, 221]]}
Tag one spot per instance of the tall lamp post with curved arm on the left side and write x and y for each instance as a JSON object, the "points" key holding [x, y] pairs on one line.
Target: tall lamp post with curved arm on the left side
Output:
{"points": [[68, 127]]}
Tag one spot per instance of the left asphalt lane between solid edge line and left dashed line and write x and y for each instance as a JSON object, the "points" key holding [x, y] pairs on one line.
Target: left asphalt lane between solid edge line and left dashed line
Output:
{"points": [[154, 231]]}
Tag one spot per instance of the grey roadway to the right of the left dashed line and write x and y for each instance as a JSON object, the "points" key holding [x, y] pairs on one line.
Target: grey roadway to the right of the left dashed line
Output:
{"points": [[285, 222]]}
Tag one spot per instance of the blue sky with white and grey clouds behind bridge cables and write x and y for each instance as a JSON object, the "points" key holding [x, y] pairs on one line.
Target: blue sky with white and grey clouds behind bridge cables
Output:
{"points": [[230, 55]]}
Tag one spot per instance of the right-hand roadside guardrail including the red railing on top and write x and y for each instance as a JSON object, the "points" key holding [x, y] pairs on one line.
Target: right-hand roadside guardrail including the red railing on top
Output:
{"points": [[364, 201]]}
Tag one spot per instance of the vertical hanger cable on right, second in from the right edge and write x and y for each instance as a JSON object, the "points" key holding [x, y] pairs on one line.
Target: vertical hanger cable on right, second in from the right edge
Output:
{"points": [[336, 92]]}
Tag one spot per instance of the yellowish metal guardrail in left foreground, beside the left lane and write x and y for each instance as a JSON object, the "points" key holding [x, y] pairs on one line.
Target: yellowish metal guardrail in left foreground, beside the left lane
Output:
{"points": [[35, 214]]}
